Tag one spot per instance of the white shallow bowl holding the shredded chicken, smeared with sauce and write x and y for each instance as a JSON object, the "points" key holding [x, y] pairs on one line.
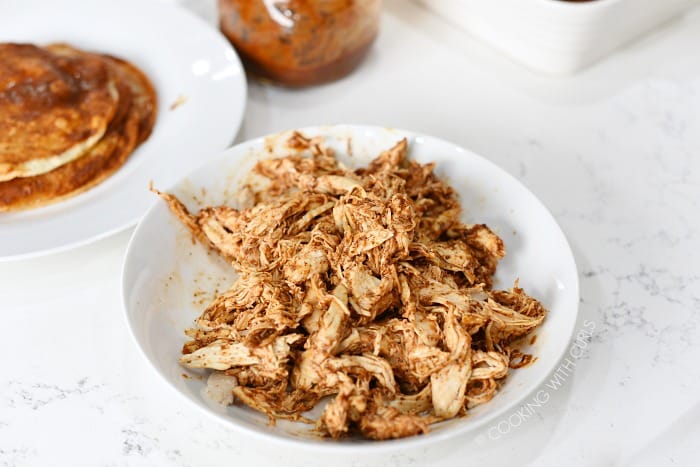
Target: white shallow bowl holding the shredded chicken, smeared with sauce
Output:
{"points": [[163, 269]]}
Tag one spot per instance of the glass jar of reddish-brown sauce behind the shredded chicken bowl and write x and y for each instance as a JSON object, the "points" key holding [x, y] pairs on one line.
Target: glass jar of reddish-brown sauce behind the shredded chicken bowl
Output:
{"points": [[300, 42]]}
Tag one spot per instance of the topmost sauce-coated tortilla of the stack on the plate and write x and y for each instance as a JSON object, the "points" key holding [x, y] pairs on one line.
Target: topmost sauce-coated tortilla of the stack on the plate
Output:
{"points": [[54, 107]]}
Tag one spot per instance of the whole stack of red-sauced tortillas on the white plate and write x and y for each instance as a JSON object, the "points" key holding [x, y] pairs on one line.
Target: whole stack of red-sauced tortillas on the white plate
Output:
{"points": [[68, 120]]}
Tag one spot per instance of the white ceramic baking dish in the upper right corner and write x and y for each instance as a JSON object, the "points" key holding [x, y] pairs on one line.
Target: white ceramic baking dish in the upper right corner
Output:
{"points": [[557, 36]]}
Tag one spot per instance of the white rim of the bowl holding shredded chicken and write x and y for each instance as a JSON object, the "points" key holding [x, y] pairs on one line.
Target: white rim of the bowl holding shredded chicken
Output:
{"points": [[364, 446]]}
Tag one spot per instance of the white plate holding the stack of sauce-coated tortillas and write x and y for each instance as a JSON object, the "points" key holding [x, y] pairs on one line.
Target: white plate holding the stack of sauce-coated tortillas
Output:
{"points": [[182, 56]]}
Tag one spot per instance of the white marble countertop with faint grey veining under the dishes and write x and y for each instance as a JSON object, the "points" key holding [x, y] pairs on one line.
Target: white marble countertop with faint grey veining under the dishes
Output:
{"points": [[611, 152]]}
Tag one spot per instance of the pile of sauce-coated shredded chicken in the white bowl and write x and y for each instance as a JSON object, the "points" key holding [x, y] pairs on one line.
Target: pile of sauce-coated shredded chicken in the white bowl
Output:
{"points": [[361, 286]]}
